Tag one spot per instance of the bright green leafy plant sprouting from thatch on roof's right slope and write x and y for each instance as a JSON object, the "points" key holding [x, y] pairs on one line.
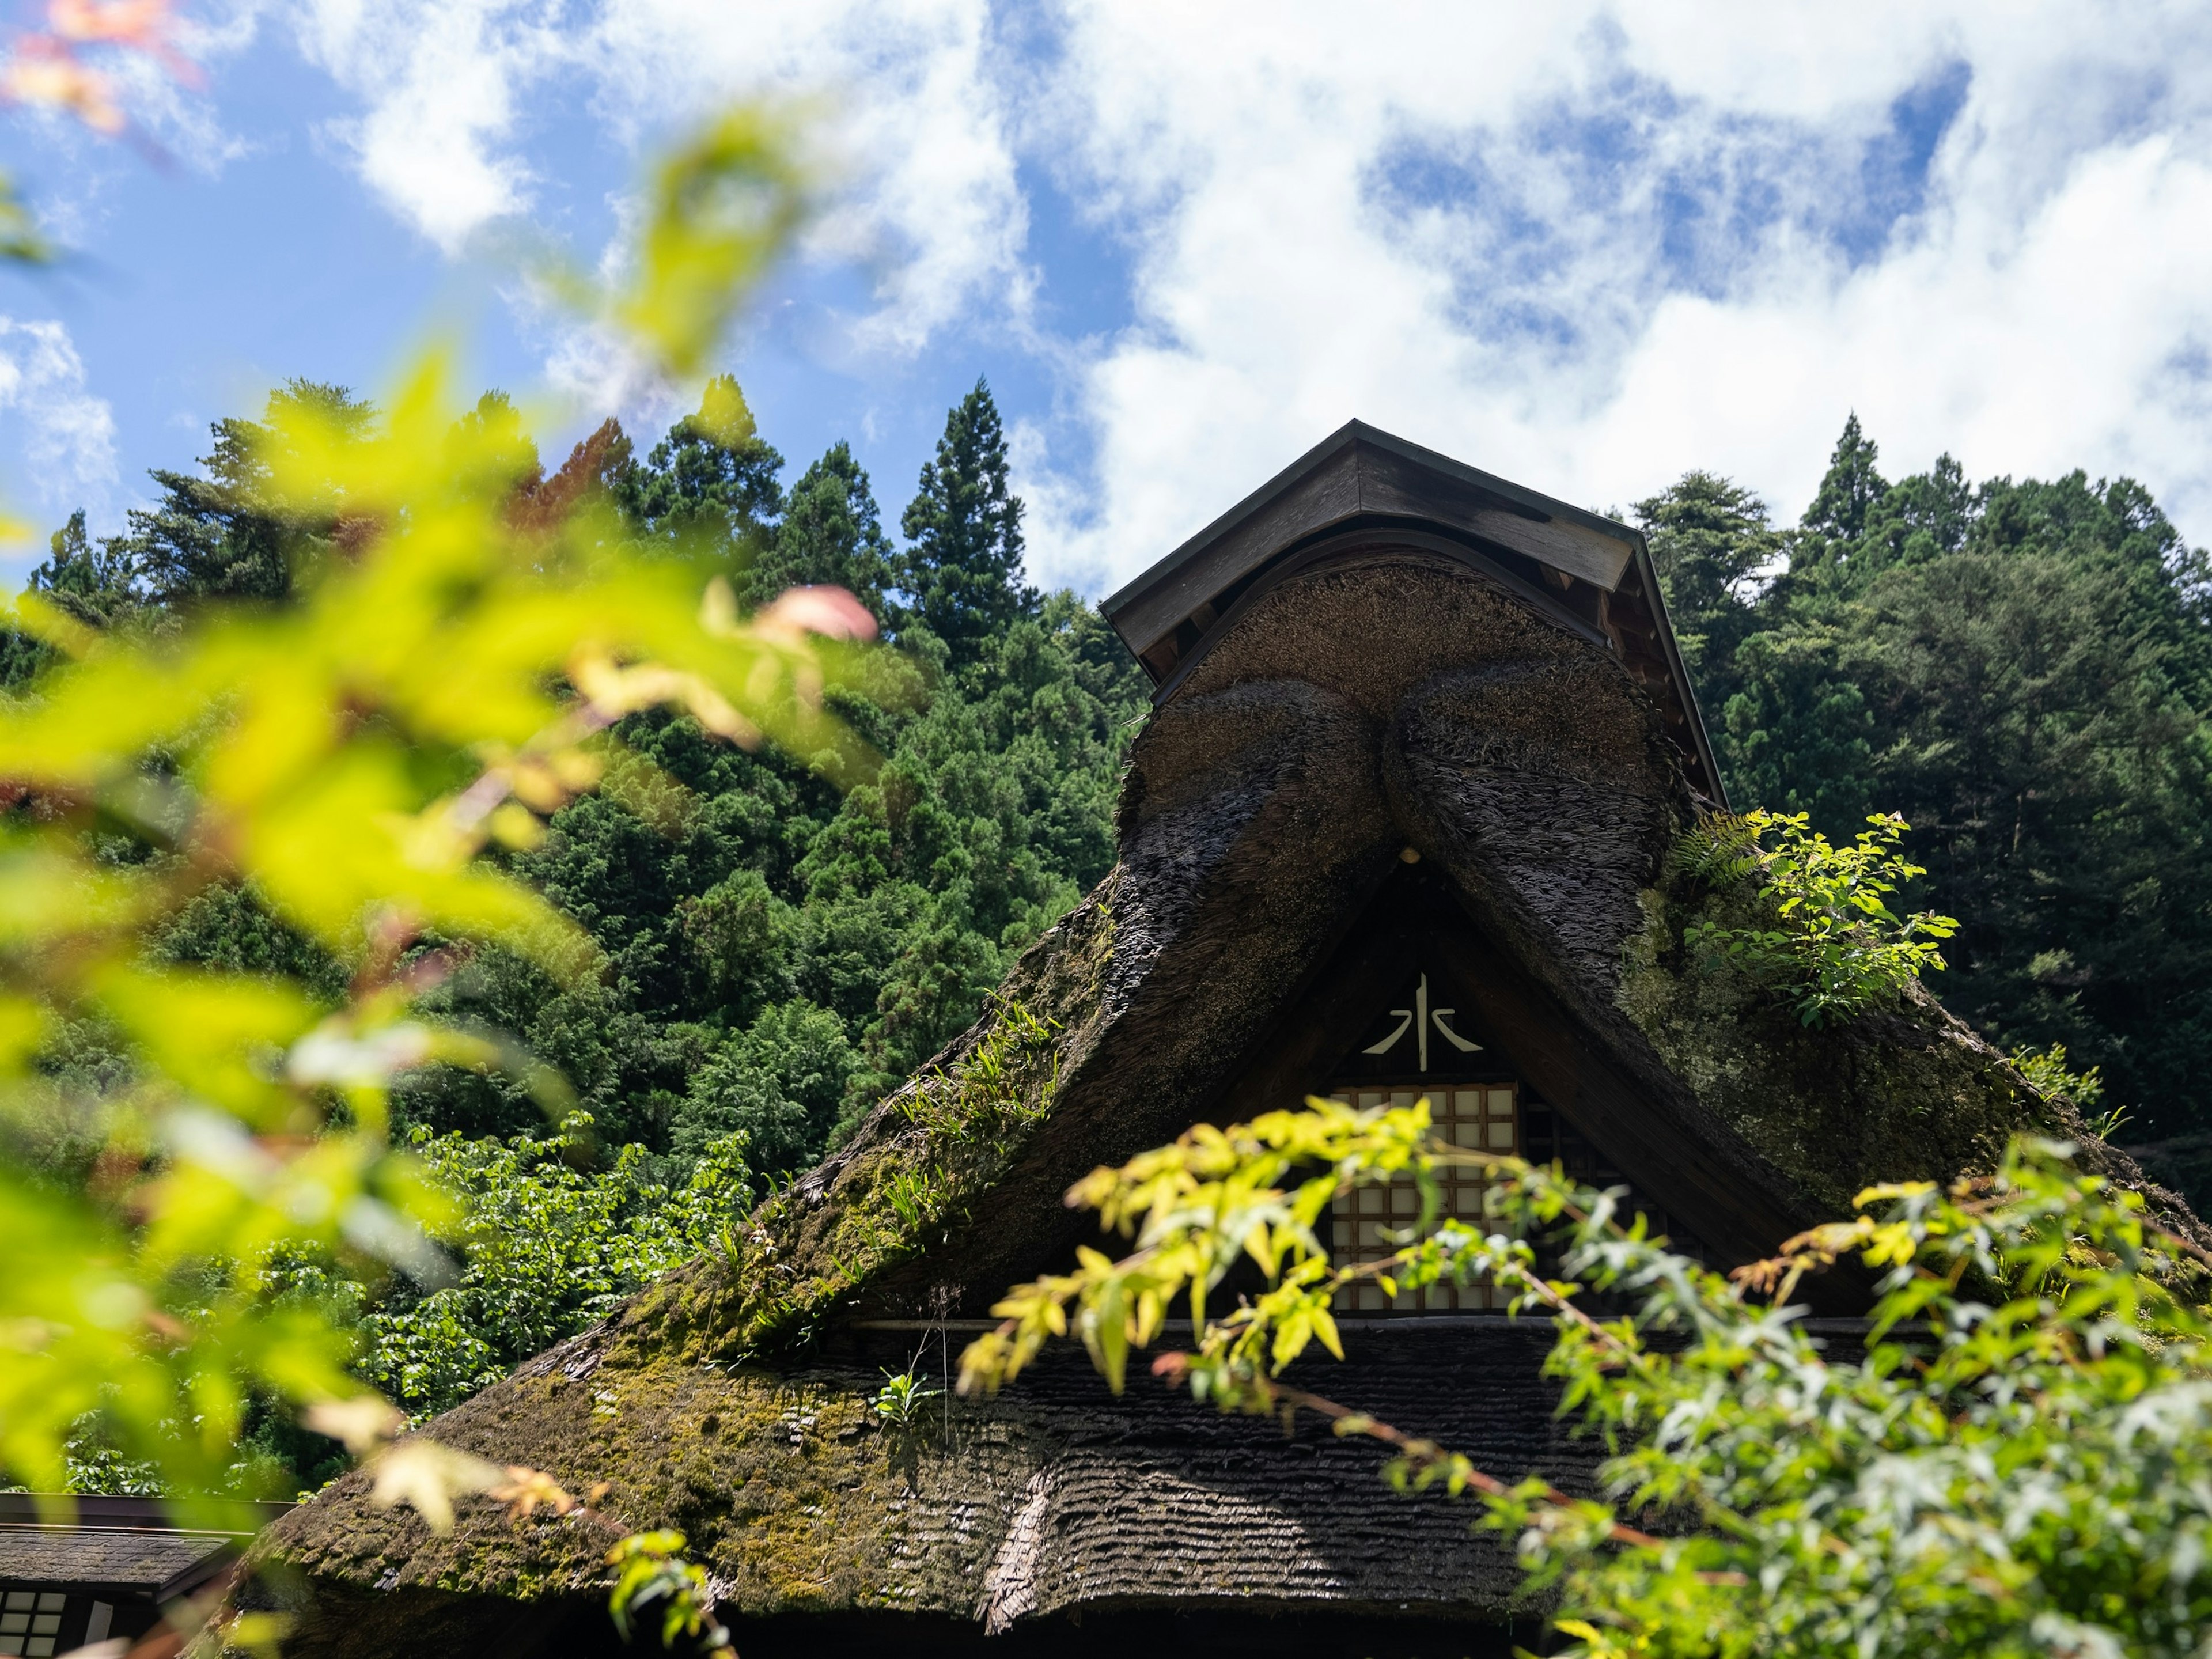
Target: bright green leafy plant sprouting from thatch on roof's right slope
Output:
{"points": [[1835, 946]]}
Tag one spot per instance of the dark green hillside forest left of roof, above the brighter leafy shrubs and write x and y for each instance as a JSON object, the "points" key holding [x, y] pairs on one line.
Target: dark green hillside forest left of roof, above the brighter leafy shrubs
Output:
{"points": [[778, 954]]}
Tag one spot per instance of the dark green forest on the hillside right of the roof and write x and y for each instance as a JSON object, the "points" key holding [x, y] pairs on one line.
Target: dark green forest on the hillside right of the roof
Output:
{"points": [[2023, 669]]}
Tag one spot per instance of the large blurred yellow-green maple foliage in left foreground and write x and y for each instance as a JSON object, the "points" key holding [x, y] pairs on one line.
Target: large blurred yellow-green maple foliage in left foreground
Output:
{"points": [[351, 835]]}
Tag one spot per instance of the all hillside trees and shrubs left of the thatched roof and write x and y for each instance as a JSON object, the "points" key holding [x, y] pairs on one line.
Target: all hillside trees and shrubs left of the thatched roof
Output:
{"points": [[773, 954]]}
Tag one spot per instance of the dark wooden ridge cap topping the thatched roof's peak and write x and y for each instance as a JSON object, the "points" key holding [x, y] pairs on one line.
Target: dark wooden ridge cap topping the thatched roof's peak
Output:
{"points": [[1578, 567]]}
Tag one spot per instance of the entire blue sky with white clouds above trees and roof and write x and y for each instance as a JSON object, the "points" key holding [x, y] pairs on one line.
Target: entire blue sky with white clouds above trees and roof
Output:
{"points": [[1578, 244]]}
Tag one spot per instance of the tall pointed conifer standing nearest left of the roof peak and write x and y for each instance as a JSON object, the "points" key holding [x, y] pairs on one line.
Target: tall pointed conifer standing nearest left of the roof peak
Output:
{"points": [[963, 565]]}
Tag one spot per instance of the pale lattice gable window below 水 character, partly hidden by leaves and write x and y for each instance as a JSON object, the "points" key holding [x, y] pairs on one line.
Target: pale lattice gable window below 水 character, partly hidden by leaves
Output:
{"points": [[1474, 1116]]}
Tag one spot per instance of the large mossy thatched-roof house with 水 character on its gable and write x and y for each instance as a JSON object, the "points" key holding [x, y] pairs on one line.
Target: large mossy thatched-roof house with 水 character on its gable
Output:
{"points": [[1397, 824]]}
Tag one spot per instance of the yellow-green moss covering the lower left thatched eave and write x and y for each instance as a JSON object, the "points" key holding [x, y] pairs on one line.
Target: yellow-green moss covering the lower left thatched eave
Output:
{"points": [[793, 1490]]}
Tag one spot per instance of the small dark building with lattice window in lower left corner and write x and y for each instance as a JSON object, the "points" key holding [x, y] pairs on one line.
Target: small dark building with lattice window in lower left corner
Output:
{"points": [[103, 1576]]}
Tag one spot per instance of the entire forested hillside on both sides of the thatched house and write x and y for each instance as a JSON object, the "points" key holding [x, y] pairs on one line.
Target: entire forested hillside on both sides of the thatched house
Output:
{"points": [[2023, 669]]}
